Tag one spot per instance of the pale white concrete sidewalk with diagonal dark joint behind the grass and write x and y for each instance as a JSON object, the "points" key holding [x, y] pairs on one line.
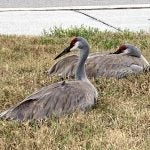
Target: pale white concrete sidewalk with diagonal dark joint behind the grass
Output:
{"points": [[33, 22]]}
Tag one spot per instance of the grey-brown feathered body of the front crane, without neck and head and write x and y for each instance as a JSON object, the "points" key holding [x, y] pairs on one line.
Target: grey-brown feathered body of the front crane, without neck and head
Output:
{"points": [[56, 99]]}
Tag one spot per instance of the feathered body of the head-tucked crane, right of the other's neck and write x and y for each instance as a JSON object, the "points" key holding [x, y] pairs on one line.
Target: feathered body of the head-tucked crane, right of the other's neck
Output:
{"points": [[112, 65]]}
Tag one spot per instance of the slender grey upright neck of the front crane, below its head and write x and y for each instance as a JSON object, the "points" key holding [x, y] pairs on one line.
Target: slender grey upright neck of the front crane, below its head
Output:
{"points": [[80, 71]]}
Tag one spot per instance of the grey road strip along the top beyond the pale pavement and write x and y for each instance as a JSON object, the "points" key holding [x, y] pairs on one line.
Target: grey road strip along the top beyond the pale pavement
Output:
{"points": [[62, 3]]}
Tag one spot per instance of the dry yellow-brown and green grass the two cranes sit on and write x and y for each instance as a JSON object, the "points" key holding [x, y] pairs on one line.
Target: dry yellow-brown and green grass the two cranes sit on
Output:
{"points": [[121, 119]]}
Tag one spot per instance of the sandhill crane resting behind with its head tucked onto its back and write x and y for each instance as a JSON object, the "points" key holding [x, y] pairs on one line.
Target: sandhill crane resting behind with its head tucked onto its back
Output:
{"points": [[126, 60]]}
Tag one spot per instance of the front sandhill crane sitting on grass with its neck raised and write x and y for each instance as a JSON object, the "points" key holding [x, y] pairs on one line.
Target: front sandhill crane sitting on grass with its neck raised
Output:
{"points": [[58, 98]]}
